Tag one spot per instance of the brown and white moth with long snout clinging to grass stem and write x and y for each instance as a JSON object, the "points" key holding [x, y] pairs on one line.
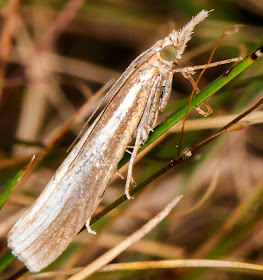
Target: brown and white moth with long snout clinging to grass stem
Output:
{"points": [[73, 193]]}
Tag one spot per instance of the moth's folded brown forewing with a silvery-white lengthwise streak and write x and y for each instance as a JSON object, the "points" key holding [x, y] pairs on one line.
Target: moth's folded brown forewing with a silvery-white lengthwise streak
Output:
{"points": [[76, 189]]}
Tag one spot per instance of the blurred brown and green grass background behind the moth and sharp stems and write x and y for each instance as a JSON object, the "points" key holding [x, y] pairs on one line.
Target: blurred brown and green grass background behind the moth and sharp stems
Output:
{"points": [[56, 55]]}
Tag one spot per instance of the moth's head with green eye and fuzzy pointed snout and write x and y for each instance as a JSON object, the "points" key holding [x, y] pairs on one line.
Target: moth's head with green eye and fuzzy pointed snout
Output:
{"points": [[173, 46]]}
